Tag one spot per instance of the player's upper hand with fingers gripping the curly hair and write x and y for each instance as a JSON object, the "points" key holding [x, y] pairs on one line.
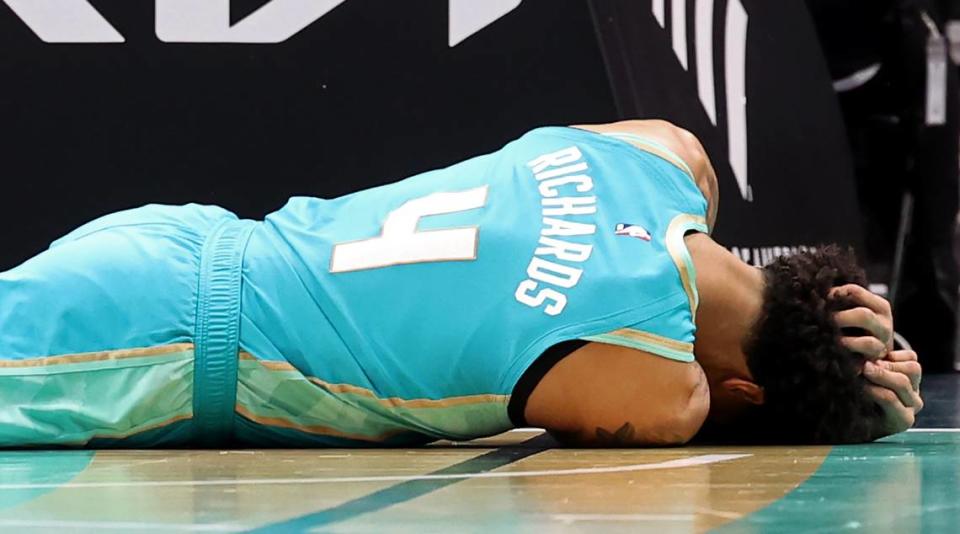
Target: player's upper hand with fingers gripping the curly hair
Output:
{"points": [[870, 321]]}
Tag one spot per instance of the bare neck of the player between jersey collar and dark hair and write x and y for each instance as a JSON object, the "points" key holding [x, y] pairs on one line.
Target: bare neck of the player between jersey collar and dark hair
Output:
{"points": [[731, 299]]}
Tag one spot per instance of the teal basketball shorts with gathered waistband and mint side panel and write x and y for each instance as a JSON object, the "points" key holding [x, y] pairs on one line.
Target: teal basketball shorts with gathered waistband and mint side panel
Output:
{"points": [[125, 332]]}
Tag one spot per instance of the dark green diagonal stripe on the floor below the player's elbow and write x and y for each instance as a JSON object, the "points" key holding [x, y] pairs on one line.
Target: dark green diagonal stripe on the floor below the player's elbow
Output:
{"points": [[412, 489]]}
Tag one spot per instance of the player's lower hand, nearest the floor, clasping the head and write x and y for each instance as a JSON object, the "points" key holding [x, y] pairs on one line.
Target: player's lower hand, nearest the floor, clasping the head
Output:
{"points": [[894, 384]]}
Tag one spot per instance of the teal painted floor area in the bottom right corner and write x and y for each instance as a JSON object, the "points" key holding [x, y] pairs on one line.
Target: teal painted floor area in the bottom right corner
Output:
{"points": [[905, 483]]}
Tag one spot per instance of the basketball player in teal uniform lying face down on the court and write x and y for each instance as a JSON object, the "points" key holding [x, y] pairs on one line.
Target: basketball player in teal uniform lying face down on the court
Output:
{"points": [[567, 281]]}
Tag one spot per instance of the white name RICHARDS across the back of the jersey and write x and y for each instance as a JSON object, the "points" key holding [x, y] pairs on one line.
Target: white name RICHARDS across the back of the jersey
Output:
{"points": [[568, 209]]}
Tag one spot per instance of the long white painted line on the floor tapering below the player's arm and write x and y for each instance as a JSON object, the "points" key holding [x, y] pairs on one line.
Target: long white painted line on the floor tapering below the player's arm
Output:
{"points": [[703, 459]]}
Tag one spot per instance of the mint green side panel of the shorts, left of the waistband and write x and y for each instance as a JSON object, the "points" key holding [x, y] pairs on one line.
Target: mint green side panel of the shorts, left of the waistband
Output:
{"points": [[77, 399]]}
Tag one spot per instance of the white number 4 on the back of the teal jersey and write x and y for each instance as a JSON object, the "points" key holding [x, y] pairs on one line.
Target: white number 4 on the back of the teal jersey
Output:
{"points": [[401, 243]]}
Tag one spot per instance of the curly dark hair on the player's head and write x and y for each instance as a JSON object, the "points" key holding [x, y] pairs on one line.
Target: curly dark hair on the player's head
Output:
{"points": [[813, 386]]}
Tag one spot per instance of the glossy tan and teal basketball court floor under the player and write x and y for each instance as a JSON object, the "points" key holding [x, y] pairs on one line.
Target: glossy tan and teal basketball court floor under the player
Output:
{"points": [[517, 482]]}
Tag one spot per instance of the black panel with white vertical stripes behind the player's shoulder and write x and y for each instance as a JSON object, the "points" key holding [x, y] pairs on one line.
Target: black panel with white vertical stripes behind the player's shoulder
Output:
{"points": [[798, 174]]}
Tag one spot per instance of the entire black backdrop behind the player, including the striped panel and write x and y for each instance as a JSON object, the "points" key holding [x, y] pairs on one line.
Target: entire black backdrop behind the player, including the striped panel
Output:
{"points": [[372, 92]]}
